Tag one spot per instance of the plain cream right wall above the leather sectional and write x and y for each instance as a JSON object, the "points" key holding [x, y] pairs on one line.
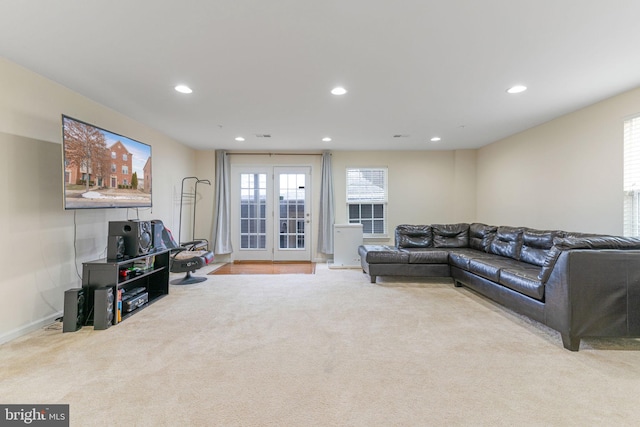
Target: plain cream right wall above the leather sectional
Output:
{"points": [[565, 174]]}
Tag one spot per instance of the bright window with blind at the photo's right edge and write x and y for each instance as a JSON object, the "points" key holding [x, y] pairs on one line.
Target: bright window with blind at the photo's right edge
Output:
{"points": [[631, 188]]}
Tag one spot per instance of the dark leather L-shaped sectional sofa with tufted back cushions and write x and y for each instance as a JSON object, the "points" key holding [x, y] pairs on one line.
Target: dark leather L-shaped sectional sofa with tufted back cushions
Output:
{"points": [[582, 285]]}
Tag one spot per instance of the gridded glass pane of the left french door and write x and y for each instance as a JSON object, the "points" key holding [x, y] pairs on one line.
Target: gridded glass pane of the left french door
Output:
{"points": [[253, 200]]}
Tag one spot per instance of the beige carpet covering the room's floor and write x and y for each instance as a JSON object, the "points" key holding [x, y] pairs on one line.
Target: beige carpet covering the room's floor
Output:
{"points": [[328, 349]]}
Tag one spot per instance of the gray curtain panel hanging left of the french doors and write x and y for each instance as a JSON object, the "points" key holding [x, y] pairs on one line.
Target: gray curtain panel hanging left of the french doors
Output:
{"points": [[222, 218]]}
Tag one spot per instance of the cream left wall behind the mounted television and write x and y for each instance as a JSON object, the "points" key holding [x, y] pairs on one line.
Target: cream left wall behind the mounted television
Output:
{"points": [[43, 245]]}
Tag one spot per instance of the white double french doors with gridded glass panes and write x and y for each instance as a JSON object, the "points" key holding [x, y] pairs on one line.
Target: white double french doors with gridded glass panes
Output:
{"points": [[271, 213]]}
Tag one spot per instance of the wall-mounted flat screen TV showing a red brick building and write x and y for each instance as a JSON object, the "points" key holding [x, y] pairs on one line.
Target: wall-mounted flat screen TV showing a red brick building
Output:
{"points": [[103, 169]]}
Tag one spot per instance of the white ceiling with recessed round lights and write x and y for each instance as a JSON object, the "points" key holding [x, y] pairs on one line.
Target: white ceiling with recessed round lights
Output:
{"points": [[415, 68]]}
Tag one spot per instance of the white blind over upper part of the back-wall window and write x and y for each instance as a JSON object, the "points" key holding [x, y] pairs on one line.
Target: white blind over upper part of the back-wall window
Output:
{"points": [[367, 185]]}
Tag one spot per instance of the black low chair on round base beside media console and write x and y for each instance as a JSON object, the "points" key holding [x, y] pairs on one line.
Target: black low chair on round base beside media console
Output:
{"points": [[185, 258]]}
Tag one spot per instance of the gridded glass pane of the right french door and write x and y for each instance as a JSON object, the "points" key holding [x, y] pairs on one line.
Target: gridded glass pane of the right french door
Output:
{"points": [[291, 210]]}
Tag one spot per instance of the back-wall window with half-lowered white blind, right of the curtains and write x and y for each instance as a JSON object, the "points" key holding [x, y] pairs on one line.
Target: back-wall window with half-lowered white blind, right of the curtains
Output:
{"points": [[367, 199]]}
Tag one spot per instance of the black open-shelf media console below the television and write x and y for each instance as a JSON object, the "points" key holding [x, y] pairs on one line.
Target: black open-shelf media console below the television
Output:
{"points": [[117, 289]]}
